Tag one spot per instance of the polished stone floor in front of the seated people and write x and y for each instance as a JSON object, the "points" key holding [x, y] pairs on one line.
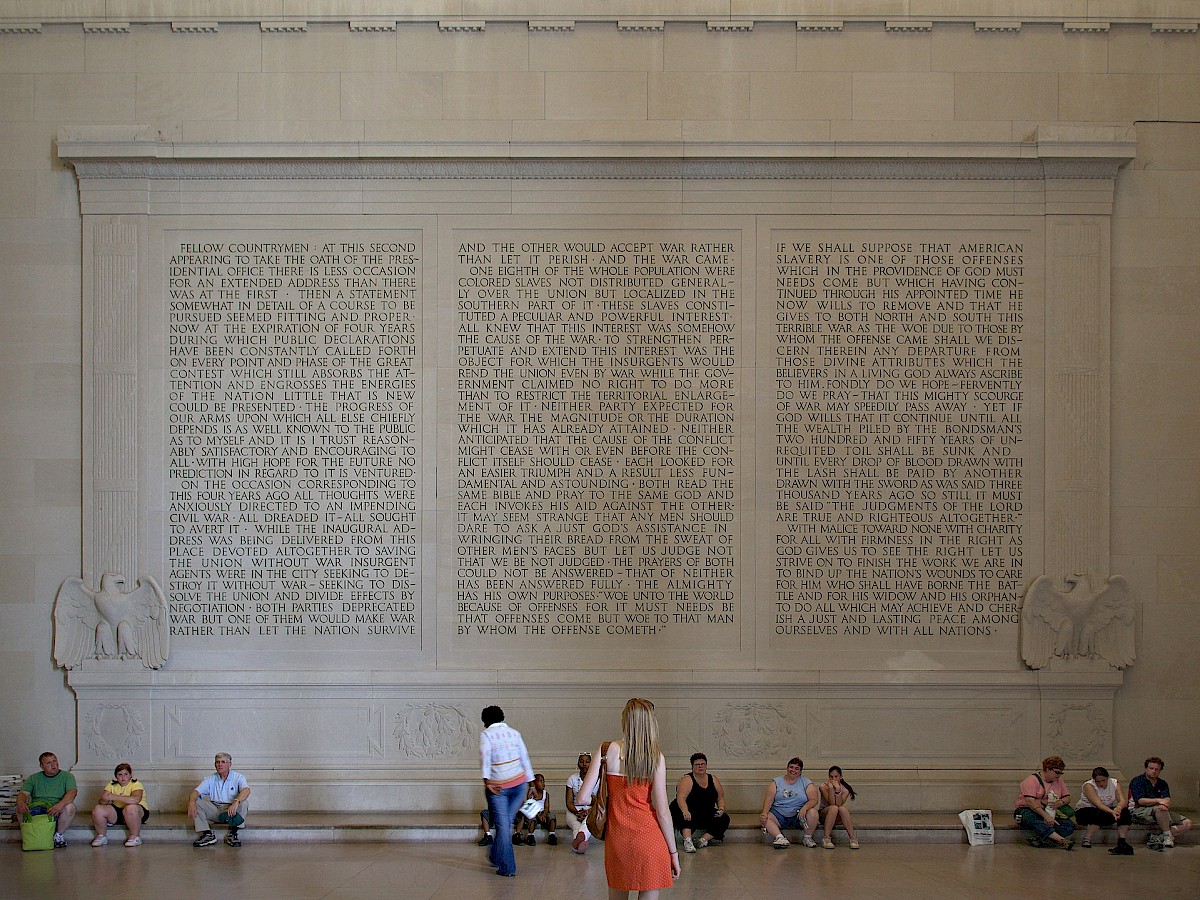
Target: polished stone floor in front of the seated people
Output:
{"points": [[733, 872]]}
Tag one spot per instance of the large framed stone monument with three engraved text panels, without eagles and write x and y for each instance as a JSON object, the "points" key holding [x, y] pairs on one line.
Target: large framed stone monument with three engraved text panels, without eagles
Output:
{"points": [[777, 442]]}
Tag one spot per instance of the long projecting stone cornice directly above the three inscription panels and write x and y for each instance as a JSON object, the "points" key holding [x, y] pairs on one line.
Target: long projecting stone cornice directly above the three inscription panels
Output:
{"points": [[1071, 152]]}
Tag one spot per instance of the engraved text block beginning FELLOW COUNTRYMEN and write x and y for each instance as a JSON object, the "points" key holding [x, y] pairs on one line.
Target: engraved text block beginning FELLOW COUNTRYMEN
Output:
{"points": [[292, 439]]}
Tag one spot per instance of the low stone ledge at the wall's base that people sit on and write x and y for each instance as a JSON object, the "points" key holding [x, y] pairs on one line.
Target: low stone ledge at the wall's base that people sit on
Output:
{"points": [[379, 827]]}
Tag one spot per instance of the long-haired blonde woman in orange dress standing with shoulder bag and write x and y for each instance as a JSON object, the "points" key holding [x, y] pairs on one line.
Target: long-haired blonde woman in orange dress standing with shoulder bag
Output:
{"points": [[640, 850]]}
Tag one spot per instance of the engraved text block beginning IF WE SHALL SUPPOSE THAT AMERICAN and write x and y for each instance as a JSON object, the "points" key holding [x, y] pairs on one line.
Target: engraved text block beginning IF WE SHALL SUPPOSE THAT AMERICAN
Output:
{"points": [[899, 439]]}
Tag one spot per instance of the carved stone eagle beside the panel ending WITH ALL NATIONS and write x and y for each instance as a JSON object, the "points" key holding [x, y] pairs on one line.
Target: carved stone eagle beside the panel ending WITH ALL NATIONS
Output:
{"points": [[1079, 622]]}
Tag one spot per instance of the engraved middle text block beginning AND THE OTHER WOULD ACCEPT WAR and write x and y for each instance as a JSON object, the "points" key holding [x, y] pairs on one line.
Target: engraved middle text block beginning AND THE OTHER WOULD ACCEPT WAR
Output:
{"points": [[596, 421]]}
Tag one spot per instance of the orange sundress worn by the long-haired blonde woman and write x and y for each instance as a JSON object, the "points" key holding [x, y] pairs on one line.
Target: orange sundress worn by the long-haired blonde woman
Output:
{"points": [[635, 856]]}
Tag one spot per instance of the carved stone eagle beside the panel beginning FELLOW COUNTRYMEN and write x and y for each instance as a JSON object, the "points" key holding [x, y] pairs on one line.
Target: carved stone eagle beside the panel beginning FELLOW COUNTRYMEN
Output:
{"points": [[111, 623]]}
